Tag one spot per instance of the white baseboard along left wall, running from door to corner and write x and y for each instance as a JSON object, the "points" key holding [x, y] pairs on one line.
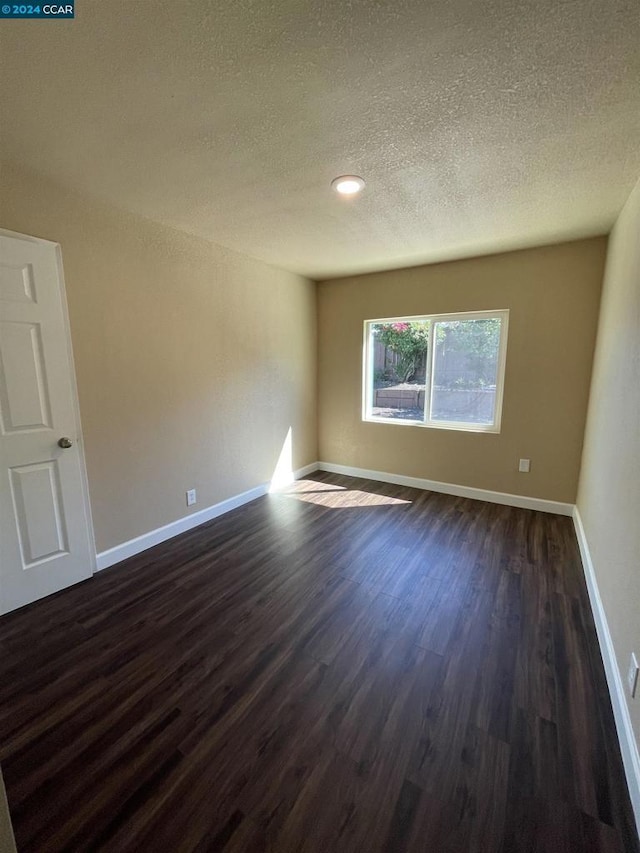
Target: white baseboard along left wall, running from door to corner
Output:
{"points": [[135, 546]]}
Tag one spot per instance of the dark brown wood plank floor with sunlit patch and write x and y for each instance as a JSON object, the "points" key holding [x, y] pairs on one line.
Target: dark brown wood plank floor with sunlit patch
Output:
{"points": [[349, 666]]}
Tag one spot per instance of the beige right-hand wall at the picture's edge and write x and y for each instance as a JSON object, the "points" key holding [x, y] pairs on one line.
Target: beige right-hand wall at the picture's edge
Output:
{"points": [[609, 493]]}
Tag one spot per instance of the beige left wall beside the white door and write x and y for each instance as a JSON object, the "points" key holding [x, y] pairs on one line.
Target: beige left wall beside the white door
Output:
{"points": [[192, 361]]}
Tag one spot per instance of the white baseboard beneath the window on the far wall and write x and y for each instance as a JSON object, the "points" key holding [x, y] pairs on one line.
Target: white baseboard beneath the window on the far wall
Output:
{"points": [[451, 489]]}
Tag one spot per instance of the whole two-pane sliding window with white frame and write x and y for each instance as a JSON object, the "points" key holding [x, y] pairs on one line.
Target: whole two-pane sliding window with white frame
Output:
{"points": [[442, 371]]}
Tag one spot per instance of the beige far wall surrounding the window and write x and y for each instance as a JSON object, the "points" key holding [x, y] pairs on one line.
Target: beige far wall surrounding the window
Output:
{"points": [[553, 295]]}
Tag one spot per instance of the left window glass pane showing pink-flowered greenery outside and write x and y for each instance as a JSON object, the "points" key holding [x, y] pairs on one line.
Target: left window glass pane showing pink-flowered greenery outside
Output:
{"points": [[398, 354]]}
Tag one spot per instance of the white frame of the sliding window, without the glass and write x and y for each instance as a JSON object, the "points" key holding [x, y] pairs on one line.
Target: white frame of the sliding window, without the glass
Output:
{"points": [[367, 374]]}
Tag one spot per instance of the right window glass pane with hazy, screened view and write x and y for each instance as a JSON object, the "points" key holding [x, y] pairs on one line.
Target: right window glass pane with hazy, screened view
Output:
{"points": [[465, 370]]}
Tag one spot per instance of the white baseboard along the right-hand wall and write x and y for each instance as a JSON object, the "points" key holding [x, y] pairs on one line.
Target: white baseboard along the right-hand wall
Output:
{"points": [[628, 744]]}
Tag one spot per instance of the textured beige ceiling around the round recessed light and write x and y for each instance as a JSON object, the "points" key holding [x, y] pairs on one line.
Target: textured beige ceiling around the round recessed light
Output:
{"points": [[478, 126]]}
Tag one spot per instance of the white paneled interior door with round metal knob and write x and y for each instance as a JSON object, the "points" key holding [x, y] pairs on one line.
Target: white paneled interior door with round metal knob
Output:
{"points": [[46, 540]]}
